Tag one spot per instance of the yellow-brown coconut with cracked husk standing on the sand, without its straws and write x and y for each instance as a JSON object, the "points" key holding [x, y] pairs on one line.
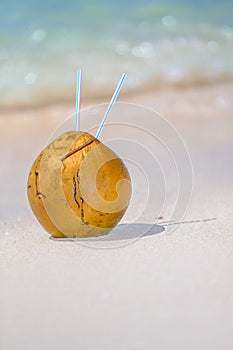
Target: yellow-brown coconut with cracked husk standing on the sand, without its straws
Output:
{"points": [[78, 187]]}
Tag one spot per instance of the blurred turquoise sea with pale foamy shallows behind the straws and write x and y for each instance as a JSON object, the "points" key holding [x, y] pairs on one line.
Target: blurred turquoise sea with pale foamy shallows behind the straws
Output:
{"points": [[158, 43]]}
